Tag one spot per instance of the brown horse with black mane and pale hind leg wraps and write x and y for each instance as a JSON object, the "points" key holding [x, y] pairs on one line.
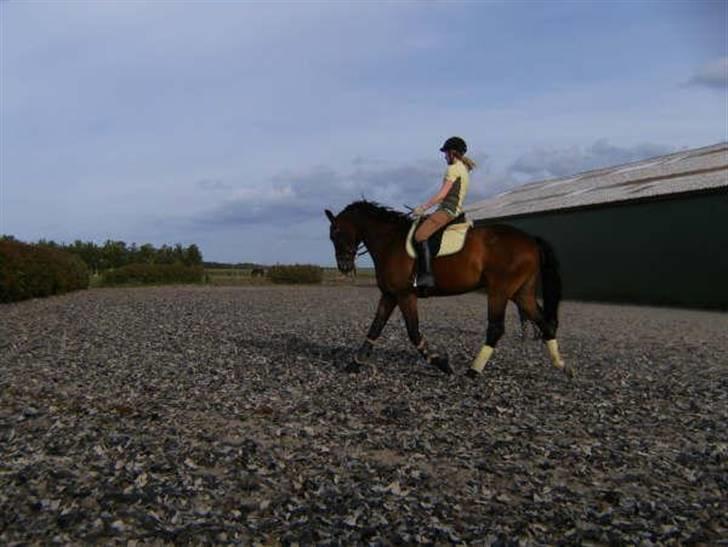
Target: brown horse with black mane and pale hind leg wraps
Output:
{"points": [[504, 261]]}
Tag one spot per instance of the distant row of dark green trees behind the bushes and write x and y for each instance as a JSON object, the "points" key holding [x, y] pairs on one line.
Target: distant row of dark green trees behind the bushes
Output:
{"points": [[116, 254]]}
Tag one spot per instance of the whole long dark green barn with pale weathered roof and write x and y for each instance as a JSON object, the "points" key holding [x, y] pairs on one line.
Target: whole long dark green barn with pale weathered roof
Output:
{"points": [[648, 232]]}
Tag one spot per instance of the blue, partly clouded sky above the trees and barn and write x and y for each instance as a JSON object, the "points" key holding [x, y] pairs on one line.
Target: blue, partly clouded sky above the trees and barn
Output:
{"points": [[233, 125]]}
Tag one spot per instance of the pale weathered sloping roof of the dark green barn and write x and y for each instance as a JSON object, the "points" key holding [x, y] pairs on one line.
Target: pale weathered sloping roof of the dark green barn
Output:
{"points": [[701, 169]]}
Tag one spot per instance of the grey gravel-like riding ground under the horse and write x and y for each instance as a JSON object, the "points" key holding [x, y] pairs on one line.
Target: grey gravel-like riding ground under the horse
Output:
{"points": [[208, 415]]}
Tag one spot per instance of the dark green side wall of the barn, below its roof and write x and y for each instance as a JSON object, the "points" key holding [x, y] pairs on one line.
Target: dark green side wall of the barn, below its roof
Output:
{"points": [[667, 252]]}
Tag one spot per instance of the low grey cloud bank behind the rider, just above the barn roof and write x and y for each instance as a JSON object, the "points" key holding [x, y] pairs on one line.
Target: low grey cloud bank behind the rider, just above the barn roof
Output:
{"points": [[293, 197]]}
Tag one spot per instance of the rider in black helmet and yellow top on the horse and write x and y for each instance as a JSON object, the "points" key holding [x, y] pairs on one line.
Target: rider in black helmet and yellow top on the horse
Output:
{"points": [[450, 198]]}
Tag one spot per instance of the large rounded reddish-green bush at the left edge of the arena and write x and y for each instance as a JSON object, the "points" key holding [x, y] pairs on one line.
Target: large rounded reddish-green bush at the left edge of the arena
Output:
{"points": [[32, 271]]}
